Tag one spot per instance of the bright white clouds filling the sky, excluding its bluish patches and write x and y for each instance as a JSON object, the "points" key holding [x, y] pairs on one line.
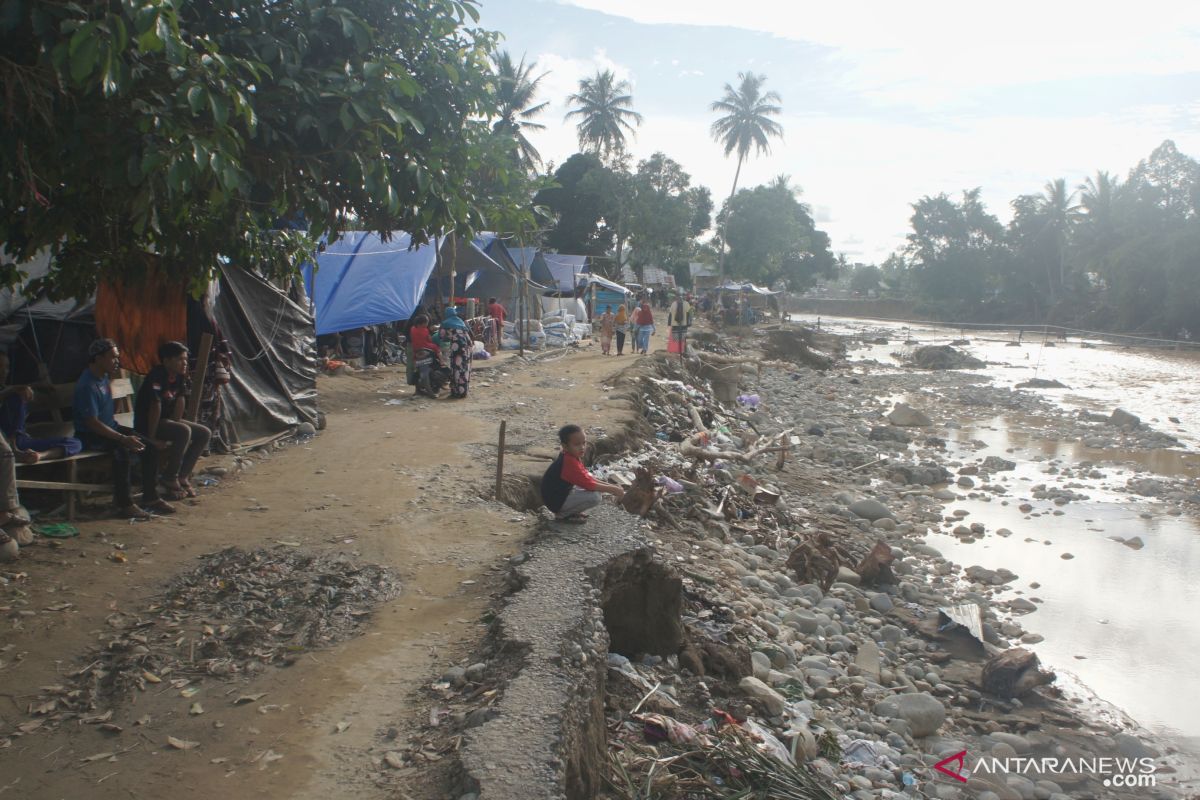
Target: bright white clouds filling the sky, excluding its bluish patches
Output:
{"points": [[862, 172]]}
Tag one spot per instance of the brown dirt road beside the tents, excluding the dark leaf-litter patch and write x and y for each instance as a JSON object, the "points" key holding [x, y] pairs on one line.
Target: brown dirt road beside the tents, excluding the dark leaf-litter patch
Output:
{"points": [[400, 485]]}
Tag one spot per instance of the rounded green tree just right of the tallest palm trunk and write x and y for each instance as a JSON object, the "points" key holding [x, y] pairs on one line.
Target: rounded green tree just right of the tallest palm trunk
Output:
{"points": [[772, 237]]}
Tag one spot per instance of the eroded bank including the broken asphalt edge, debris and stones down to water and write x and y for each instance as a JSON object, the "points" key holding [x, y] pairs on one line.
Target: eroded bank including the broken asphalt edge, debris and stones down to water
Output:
{"points": [[781, 622]]}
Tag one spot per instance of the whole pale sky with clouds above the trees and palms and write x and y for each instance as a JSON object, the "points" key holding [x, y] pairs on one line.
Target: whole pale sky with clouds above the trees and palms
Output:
{"points": [[884, 103]]}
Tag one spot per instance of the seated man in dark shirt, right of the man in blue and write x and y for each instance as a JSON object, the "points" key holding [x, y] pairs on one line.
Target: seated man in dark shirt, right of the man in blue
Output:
{"points": [[159, 417]]}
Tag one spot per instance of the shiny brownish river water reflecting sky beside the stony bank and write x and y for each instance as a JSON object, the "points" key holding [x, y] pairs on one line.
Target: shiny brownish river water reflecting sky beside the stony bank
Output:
{"points": [[1124, 624]]}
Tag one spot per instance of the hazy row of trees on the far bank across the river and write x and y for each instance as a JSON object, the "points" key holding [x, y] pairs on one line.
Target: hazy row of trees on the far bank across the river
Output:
{"points": [[1115, 255]]}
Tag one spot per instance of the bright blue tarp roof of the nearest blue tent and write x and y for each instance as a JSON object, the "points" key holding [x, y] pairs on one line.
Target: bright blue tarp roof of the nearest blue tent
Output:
{"points": [[363, 280]]}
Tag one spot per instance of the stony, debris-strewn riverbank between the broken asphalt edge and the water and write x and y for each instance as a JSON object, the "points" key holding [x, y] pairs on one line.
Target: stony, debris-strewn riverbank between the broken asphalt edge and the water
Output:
{"points": [[869, 679]]}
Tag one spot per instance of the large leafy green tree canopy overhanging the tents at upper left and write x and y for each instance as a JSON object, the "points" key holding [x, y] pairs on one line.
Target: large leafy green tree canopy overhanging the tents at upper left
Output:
{"points": [[143, 131]]}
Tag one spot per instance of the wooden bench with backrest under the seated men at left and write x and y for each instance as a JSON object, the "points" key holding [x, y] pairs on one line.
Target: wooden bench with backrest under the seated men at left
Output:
{"points": [[55, 404]]}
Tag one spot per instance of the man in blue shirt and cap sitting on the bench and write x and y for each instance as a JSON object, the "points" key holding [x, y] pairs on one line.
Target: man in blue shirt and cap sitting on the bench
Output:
{"points": [[97, 428]]}
